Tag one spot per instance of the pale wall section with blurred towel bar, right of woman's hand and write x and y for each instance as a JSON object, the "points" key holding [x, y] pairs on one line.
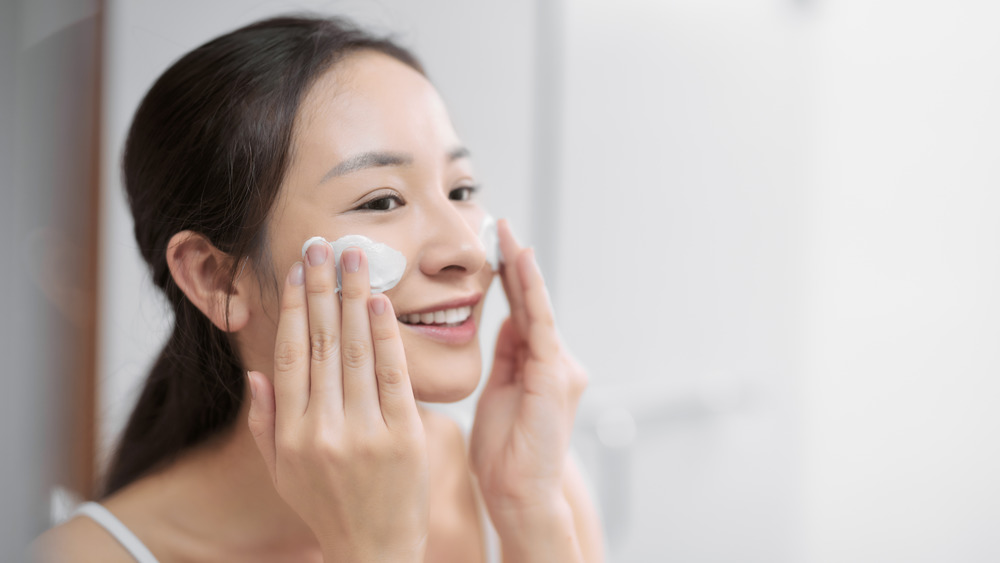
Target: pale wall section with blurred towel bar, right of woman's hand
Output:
{"points": [[686, 129]]}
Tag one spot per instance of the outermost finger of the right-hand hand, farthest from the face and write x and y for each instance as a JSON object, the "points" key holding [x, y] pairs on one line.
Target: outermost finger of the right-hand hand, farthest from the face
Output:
{"points": [[542, 339]]}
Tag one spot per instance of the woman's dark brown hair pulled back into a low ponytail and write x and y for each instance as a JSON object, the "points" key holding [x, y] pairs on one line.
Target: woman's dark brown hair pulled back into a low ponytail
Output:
{"points": [[207, 151]]}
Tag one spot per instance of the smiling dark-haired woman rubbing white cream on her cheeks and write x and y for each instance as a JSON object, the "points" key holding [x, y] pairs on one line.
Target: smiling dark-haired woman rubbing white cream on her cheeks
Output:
{"points": [[245, 148]]}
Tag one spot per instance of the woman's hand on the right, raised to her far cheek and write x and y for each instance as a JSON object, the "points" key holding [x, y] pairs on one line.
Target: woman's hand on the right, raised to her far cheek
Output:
{"points": [[520, 438]]}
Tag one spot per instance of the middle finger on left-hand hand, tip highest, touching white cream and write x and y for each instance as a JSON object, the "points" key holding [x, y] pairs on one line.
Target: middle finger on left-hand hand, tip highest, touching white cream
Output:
{"points": [[326, 392]]}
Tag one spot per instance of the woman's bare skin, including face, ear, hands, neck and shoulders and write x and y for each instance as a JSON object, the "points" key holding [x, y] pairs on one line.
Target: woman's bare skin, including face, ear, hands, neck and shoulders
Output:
{"points": [[335, 459]]}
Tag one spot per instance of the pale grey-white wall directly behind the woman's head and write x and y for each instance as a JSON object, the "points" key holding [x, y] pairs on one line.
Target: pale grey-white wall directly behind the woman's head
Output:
{"points": [[479, 55]]}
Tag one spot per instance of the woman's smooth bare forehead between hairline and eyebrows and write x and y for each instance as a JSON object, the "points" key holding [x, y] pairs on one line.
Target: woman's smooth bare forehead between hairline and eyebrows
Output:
{"points": [[371, 101]]}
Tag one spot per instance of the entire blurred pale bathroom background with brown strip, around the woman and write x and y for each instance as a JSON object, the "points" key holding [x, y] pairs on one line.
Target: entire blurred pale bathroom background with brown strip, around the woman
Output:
{"points": [[769, 228]]}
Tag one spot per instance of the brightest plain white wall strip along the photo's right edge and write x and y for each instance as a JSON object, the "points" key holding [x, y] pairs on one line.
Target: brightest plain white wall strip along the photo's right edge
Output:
{"points": [[902, 372]]}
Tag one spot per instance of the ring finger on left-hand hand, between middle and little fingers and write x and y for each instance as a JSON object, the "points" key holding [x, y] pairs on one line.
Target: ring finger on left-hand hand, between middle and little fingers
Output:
{"points": [[360, 389]]}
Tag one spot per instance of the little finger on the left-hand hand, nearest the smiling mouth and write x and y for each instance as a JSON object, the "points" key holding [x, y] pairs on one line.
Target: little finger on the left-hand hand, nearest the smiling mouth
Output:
{"points": [[395, 394]]}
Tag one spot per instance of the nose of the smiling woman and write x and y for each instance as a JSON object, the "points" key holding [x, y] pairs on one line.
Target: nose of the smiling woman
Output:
{"points": [[451, 242]]}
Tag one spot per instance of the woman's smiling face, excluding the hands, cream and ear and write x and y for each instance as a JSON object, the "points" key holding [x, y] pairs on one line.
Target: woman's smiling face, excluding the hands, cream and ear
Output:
{"points": [[374, 153]]}
